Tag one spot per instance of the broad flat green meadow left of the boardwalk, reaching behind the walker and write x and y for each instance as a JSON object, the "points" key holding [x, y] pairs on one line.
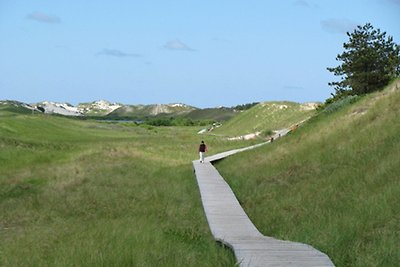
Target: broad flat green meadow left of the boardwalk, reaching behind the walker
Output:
{"points": [[81, 193]]}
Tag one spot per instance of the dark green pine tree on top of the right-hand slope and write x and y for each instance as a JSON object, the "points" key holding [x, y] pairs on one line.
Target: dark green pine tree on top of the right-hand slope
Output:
{"points": [[370, 61]]}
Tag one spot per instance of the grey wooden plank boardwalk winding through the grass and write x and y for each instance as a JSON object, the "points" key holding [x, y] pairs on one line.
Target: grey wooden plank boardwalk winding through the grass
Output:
{"points": [[230, 225]]}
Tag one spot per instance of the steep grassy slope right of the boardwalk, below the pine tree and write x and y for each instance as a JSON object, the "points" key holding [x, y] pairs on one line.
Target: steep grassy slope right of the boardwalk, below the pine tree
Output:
{"points": [[333, 183]]}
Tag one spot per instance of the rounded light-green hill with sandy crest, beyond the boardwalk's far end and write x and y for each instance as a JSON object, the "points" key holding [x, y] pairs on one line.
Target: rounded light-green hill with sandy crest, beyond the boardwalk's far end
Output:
{"points": [[265, 116]]}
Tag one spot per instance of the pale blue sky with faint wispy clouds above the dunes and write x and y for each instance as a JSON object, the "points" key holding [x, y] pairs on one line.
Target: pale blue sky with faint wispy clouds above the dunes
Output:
{"points": [[203, 53]]}
